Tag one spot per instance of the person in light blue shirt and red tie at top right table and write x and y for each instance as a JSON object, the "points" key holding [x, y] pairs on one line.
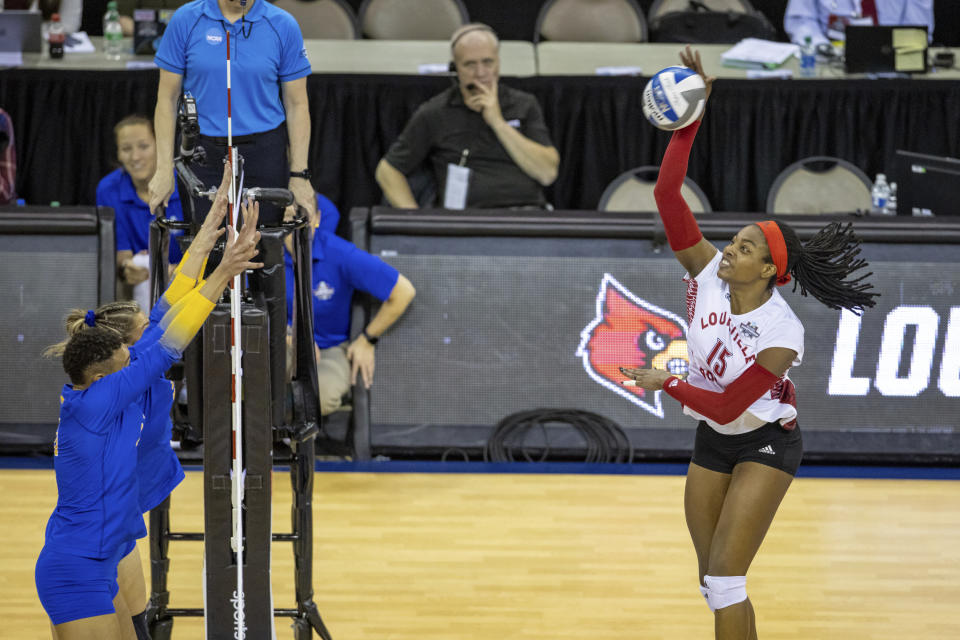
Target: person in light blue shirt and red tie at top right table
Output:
{"points": [[825, 20]]}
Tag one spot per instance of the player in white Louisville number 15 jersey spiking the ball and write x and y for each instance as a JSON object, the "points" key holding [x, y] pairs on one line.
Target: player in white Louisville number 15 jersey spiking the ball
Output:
{"points": [[743, 338]]}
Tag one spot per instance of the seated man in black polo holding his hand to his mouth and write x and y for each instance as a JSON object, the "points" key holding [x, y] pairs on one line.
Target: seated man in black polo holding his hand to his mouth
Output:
{"points": [[495, 132]]}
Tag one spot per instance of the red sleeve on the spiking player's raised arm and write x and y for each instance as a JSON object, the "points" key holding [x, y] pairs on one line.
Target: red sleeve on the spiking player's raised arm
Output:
{"points": [[678, 221]]}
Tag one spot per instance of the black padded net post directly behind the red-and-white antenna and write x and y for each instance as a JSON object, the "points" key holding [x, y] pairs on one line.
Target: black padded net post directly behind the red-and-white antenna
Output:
{"points": [[220, 562]]}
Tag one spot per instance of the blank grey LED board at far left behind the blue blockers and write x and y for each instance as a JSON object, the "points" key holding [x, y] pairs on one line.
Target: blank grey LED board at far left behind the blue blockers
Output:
{"points": [[52, 260]]}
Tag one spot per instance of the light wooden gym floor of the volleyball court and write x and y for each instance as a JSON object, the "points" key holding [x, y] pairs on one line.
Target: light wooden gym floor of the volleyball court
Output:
{"points": [[434, 556]]}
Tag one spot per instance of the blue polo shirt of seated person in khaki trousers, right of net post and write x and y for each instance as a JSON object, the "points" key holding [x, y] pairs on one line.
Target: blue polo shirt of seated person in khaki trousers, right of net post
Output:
{"points": [[339, 268]]}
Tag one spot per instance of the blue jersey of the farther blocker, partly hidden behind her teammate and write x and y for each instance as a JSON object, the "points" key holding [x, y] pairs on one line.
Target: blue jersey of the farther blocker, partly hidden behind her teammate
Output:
{"points": [[158, 469]]}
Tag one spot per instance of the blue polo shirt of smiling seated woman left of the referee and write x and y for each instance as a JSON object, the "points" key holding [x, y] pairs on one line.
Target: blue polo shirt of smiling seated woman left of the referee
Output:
{"points": [[133, 215]]}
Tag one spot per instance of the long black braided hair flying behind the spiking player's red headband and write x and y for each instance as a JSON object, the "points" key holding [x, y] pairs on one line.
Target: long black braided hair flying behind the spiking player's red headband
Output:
{"points": [[821, 267]]}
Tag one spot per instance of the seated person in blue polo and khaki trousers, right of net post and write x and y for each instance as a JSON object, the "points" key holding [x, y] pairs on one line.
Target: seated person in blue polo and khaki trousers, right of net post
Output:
{"points": [[339, 268]]}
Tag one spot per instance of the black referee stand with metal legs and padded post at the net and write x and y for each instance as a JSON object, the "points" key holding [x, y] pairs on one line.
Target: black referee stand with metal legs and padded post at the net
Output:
{"points": [[267, 441]]}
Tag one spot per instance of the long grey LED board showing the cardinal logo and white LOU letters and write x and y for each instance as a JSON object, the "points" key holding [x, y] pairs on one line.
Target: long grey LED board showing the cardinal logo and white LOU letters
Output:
{"points": [[497, 292]]}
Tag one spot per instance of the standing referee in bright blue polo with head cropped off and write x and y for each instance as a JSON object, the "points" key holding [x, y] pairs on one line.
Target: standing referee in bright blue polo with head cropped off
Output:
{"points": [[270, 114]]}
